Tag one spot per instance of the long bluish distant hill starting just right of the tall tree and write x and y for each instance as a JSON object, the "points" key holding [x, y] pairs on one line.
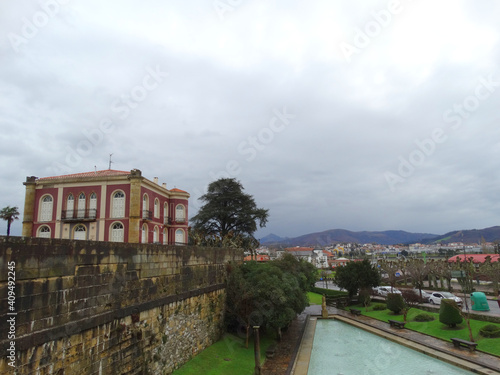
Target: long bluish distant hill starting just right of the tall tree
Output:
{"points": [[333, 236]]}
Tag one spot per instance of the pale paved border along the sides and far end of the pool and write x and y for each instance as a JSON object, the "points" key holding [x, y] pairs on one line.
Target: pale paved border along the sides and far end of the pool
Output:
{"points": [[476, 361]]}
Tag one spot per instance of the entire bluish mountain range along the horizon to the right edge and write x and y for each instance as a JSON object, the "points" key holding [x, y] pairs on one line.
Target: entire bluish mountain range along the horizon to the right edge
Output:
{"points": [[389, 237]]}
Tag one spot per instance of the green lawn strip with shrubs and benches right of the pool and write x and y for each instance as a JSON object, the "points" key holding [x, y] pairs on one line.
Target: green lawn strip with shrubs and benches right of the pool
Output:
{"points": [[437, 329]]}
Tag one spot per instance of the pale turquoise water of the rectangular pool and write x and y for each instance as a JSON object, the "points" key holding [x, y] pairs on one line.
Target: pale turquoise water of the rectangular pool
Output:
{"points": [[342, 349]]}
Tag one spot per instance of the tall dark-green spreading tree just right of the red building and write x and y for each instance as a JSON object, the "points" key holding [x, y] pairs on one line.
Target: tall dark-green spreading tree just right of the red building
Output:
{"points": [[228, 212]]}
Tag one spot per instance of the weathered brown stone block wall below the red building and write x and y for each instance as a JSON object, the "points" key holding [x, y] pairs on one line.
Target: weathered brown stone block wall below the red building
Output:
{"points": [[85, 307]]}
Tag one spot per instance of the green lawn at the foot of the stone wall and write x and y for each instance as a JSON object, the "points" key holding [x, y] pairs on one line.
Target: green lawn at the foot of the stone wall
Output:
{"points": [[228, 356]]}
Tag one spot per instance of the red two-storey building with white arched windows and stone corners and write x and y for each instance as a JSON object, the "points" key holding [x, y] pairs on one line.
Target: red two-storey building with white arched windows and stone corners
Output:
{"points": [[107, 205]]}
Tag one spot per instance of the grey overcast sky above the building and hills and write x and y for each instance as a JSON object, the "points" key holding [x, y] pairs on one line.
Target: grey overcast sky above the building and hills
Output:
{"points": [[366, 115]]}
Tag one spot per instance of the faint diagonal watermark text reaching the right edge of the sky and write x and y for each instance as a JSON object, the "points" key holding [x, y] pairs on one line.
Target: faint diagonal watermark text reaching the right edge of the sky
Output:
{"points": [[455, 116]]}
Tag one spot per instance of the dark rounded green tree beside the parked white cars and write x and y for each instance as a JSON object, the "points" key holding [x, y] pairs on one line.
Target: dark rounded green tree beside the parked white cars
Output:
{"points": [[356, 275]]}
